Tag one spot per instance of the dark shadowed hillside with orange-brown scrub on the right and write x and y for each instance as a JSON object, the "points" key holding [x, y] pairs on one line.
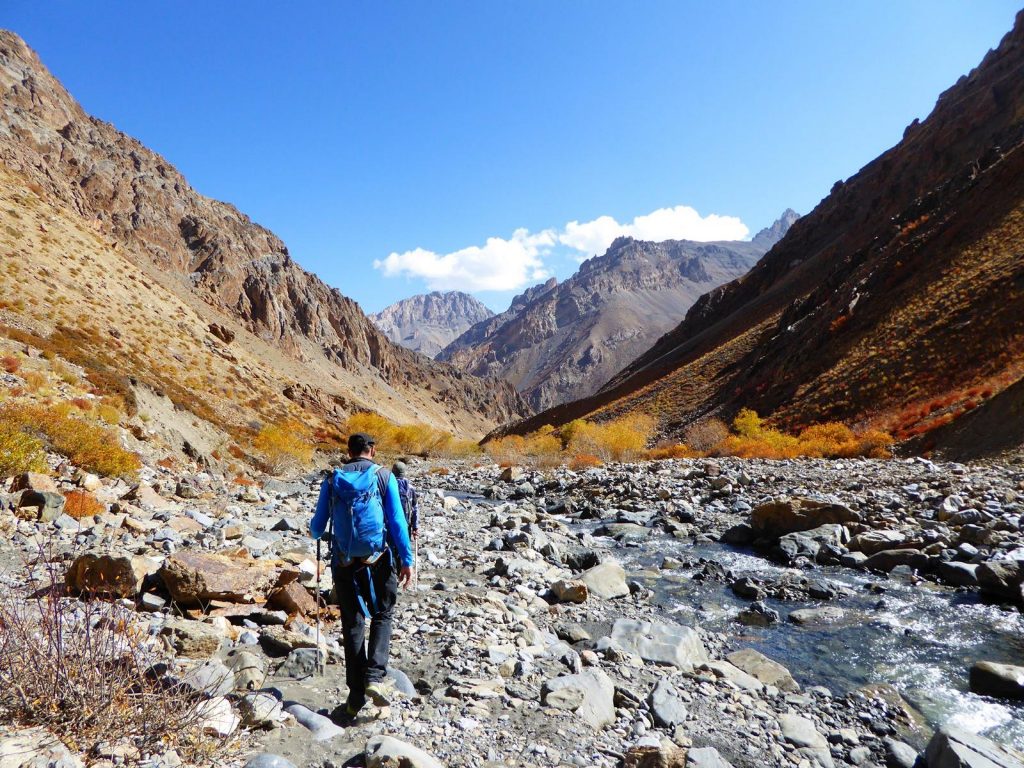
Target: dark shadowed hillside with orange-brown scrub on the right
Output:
{"points": [[898, 303]]}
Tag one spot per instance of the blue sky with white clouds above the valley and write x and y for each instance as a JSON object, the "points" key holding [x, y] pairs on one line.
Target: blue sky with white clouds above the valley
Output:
{"points": [[464, 138]]}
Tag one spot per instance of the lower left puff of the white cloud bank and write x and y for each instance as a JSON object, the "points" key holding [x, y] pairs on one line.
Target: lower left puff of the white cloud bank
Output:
{"points": [[498, 266]]}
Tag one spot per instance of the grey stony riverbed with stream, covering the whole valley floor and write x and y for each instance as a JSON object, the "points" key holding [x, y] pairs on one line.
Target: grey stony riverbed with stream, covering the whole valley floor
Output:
{"points": [[670, 614]]}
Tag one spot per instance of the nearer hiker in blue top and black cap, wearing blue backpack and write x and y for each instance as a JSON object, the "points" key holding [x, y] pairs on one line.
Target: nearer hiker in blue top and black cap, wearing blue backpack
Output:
{"points": [[360, 506]]}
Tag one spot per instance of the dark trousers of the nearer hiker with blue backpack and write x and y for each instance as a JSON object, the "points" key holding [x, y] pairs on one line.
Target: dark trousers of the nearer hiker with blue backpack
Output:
{"points": [[363, 666]]}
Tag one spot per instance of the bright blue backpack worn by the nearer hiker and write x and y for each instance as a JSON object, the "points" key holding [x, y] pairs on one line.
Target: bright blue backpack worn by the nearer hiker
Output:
{"points": [[358, 515]]}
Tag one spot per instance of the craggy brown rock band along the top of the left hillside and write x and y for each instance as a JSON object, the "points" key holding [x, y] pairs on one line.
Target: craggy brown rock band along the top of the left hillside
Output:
{"points": [[210, 250]]}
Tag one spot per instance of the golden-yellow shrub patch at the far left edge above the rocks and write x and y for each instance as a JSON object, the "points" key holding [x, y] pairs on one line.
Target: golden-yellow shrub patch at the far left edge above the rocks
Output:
{"points": [[86, 444]]}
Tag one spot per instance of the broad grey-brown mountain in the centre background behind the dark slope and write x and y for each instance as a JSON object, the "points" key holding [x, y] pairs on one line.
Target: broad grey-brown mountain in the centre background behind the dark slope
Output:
{"points": [[562, 343]]}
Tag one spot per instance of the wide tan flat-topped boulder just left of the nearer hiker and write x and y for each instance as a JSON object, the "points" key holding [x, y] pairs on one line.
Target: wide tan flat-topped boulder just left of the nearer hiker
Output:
{"points": [[195, 578]]}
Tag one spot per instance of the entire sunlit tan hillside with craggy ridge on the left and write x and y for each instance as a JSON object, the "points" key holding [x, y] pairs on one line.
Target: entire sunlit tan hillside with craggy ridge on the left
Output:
{"points": [[86, 200]]}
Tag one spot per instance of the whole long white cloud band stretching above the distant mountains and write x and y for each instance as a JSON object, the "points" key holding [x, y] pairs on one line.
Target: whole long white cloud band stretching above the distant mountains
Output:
{"points": [[502, 265]]}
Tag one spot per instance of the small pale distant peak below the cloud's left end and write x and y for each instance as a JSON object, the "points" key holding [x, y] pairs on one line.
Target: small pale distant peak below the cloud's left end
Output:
{"points": [[429, 323]]}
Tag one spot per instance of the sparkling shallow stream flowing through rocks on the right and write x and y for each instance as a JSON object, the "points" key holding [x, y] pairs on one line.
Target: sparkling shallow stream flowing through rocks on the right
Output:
{"points": [[921, 639]]}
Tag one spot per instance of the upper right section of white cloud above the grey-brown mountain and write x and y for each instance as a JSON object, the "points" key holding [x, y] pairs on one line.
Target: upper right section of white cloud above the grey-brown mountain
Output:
{"points": [[681, 223]]}
